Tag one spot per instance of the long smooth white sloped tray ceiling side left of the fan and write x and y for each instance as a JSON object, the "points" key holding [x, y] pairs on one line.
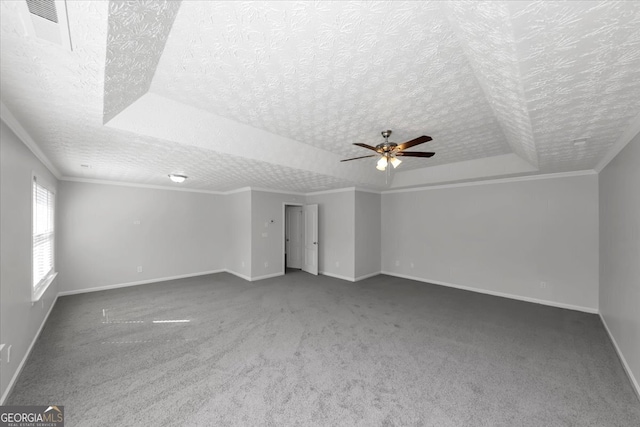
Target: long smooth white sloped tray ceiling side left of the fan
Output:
{"points": [[161, 118]]}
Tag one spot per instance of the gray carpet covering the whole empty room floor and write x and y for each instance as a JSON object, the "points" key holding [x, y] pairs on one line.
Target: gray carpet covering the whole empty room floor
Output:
{"points": [[305, 350]]}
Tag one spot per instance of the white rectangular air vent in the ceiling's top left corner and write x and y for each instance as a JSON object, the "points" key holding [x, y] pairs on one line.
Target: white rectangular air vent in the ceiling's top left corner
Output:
{"points": [[46, 20]]}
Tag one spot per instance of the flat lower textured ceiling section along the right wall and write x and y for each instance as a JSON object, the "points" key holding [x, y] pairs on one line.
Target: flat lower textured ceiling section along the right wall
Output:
{"points": [[580, 67]]}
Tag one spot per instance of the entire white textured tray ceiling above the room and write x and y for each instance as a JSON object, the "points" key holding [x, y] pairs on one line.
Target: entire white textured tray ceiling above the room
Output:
{"points": [[272, 94]]}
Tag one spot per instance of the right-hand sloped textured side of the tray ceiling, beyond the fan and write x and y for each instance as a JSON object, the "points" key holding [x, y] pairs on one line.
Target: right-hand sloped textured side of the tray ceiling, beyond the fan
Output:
{"points": [[490, 47]]}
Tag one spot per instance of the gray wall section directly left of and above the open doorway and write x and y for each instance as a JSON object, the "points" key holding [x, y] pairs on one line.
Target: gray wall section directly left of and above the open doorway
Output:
{"points": [[267, 241]]}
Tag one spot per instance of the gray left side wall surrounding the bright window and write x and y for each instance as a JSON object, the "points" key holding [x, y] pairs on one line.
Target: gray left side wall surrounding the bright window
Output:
{"points": [[19, 319]]}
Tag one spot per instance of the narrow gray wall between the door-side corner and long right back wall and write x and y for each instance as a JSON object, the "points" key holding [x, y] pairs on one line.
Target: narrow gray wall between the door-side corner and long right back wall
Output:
{"points": [[367, 234]]}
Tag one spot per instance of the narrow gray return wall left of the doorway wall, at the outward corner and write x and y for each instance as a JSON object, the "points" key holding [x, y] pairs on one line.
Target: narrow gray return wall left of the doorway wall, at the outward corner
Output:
{"points": [[238, 225]]}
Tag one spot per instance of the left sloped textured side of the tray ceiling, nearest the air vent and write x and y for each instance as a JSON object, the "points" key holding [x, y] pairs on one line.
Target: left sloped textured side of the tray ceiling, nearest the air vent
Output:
{"points": [[136, 37]]}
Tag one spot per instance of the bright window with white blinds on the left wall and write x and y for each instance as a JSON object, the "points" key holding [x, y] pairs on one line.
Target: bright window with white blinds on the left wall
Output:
{"points": [[43, 238]]}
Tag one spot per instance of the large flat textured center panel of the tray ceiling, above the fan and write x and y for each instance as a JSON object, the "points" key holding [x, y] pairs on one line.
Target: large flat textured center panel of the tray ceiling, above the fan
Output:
{"points": [[330, 73]]}
